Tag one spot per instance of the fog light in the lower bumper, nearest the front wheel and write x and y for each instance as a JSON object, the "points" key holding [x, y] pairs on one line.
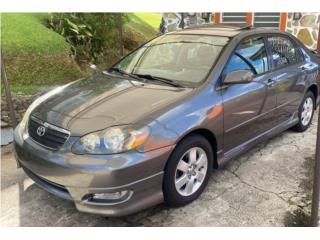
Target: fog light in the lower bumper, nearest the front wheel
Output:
{"points": [[107, 198]]}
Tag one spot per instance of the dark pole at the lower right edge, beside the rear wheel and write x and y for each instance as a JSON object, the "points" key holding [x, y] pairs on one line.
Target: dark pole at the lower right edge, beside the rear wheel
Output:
{"points": [[316, 182]]}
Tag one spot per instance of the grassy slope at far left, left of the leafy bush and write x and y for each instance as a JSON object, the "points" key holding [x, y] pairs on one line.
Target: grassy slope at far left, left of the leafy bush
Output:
{"points": [[34, 54]]}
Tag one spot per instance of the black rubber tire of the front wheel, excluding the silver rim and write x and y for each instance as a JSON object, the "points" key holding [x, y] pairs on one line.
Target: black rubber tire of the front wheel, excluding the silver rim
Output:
{"points": [[171, 195]]}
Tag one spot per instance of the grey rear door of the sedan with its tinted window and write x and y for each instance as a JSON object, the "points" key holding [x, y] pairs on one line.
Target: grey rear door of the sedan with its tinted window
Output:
{"points": [[288, 75]]}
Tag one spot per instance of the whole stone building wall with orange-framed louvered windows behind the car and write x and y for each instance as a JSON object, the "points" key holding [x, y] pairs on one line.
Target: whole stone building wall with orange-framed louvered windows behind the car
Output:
{"points": [[305, 28]]}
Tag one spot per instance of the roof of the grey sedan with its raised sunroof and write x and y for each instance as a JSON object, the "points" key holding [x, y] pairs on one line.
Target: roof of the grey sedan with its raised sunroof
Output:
{"points": [[225, 30]]}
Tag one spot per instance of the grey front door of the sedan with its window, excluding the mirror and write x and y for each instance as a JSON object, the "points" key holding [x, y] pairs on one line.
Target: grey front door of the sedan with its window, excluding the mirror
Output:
{"points": [[249, 107]]}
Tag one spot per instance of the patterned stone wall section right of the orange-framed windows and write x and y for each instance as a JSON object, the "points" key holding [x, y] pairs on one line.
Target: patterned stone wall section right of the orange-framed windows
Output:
{"points": [[306, 28]]}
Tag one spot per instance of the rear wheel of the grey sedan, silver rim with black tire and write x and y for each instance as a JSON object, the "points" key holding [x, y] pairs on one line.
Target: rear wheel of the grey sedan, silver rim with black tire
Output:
{"points": [[306, 112]]}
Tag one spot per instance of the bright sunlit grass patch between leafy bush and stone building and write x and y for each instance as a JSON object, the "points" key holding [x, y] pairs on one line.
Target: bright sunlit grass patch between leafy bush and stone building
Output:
{"points": [[145, 23]]}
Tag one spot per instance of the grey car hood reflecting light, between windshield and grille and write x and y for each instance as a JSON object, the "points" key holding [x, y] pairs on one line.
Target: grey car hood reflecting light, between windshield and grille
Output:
{"points": [[105, 100]]}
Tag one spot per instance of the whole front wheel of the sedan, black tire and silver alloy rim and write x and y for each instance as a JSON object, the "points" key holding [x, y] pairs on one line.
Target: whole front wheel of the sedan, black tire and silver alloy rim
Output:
{"points": [[187, 171]]}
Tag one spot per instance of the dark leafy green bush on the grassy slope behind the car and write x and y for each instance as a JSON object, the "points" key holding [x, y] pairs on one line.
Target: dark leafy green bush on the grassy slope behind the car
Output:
{"points": [[89, 34]]}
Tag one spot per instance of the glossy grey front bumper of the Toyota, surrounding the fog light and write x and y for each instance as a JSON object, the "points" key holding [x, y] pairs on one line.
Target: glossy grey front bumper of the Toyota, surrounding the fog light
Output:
{"points": [[74, 177]]}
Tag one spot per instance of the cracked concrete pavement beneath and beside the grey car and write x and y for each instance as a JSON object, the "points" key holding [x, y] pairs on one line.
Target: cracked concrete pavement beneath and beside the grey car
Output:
{"points": [[256, 189]]}
